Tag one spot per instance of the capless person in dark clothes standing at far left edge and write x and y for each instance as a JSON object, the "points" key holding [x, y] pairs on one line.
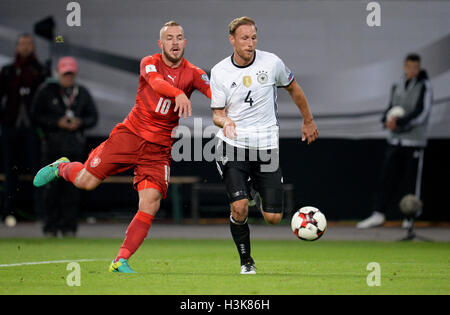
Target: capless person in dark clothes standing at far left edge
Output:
{"points": [[19, 142]]}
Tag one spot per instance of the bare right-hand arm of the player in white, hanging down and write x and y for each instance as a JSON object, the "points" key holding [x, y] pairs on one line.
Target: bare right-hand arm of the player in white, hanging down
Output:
{"points": [[309, 128]]}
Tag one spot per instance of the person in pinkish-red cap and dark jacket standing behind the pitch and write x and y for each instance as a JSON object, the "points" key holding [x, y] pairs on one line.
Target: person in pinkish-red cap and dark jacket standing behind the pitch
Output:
{"points": [[63, 110]]}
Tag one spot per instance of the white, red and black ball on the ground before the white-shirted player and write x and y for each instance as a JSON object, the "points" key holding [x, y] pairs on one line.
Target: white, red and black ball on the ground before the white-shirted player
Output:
{"points": [[308, 224]]}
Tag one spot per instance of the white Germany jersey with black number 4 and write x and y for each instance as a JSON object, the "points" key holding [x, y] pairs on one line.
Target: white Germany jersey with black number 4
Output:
{"points": [[249, 95]]}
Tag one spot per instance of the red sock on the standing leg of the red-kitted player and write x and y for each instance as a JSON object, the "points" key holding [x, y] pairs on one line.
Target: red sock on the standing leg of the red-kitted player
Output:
{"points": [[135, 235]]}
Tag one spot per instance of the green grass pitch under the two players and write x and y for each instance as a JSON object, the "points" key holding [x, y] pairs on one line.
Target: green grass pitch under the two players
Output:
{"points": [[211, 267]]}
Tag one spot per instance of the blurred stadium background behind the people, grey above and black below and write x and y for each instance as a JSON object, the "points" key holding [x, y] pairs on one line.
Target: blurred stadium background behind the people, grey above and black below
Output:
{"points": [[345, 67]]}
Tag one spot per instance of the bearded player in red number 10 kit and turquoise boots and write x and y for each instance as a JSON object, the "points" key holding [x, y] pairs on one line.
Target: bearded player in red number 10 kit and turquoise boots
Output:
{"points": [[143, 140]]}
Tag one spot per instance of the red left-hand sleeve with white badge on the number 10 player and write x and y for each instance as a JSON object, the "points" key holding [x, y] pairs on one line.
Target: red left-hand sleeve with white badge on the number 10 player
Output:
{"points": [[149, 72]]}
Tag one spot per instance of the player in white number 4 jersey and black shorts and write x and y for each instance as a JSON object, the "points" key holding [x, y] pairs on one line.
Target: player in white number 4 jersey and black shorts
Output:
{"points": [[244, 94]]}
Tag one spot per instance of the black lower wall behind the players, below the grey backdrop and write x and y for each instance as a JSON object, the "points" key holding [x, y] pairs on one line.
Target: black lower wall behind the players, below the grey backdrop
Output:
{"points": [[338, 176]]}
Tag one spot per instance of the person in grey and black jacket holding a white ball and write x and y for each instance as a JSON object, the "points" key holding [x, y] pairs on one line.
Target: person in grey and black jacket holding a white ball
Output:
{"points": [[406, 118]]}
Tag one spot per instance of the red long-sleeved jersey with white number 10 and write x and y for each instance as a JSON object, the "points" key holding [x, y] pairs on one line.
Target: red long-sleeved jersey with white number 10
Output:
{"points": [[153, 117]]}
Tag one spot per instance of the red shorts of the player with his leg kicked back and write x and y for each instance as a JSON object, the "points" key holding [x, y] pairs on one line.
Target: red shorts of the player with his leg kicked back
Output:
{"points": [[124, 150]]}
